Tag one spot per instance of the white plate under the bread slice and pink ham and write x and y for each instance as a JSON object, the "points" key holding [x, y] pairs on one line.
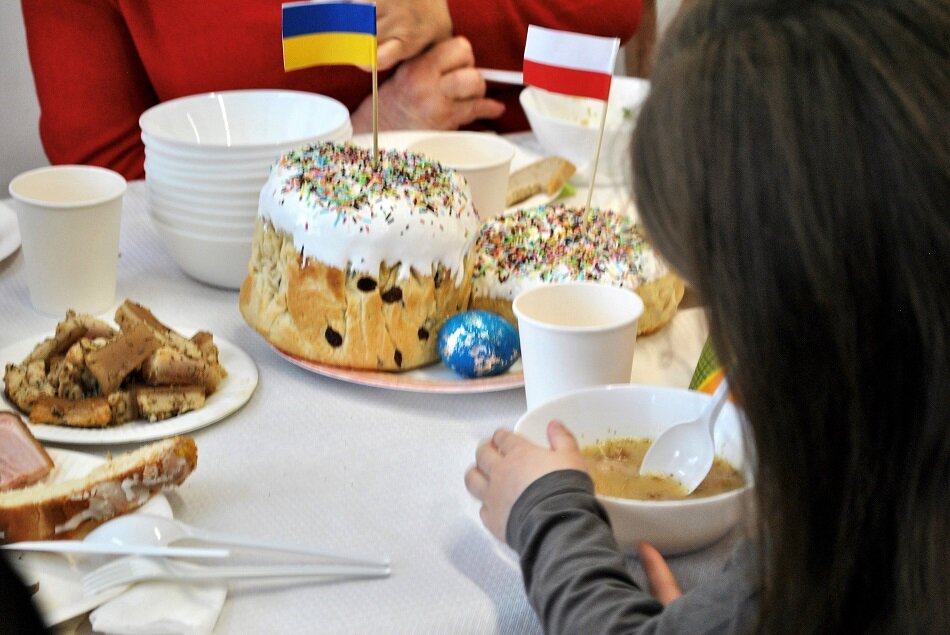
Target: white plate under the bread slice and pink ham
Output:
{"points": [[60, 595]]}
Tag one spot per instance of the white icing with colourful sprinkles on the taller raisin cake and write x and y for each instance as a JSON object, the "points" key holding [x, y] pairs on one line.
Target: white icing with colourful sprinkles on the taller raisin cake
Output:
{"points": [[345, 208]]}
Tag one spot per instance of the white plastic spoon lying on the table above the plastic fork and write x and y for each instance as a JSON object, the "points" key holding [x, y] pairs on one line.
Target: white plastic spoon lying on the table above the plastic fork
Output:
{"points": [[145, 529]]}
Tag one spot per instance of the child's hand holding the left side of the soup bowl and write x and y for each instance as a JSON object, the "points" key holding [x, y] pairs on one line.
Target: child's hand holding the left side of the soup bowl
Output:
{"points": [[507, 464]]}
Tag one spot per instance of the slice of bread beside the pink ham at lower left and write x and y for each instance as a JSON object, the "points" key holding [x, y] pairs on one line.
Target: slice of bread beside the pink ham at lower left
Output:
{"points": [[70, 509]]}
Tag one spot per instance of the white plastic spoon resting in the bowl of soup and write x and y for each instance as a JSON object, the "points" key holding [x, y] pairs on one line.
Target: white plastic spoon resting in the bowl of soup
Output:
{"points": [[685, 451]]}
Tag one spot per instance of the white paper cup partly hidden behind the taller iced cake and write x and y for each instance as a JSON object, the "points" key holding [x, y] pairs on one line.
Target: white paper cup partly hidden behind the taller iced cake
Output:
{"points": [[483, 158]]}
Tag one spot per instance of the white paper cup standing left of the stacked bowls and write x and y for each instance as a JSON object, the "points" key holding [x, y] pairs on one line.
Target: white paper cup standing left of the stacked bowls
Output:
{"points": [[69, 218]]}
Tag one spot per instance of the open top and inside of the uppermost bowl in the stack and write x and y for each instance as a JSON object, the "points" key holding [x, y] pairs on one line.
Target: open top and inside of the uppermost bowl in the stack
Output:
{"points": [[244, 121]]}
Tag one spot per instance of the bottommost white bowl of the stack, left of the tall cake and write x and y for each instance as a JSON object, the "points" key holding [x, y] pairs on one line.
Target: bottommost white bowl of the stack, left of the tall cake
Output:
{"points": [[220, 262]]}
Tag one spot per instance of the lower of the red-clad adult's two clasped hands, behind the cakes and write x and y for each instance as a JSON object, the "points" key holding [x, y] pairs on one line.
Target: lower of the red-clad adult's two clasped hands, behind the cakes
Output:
{"points": [[439, 90]]}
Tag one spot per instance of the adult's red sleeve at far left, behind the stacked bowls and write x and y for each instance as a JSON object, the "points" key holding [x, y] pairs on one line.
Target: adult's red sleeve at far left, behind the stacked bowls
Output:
{"points": [[89, 81]]}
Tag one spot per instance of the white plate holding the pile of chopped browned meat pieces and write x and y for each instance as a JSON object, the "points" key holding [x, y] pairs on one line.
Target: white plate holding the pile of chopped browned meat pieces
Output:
{"points": [[233, 393]]}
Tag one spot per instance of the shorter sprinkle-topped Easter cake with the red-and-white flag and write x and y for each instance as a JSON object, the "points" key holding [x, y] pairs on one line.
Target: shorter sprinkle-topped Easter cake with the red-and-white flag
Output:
{"points": [[530, 247]]}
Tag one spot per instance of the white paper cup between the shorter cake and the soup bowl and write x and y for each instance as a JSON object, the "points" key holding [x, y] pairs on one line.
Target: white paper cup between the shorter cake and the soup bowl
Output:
{"points": [[574, 335]]}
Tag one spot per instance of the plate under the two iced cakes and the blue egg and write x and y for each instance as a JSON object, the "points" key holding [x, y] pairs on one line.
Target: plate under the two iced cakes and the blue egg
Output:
{"points": [[665, 358]]}
